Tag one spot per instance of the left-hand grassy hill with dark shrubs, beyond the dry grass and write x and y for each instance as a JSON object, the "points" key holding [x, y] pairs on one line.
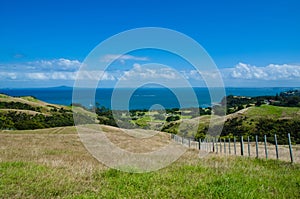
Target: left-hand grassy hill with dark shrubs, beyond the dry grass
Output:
{"points": [[30, 113]]}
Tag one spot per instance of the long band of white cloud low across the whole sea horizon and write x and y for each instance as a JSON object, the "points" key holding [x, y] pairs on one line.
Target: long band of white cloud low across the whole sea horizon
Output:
{"points": [[67, 70]]}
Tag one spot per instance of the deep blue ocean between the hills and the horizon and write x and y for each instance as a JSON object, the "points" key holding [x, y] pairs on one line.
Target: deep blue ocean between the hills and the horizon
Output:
{"points": [[142, 98]]}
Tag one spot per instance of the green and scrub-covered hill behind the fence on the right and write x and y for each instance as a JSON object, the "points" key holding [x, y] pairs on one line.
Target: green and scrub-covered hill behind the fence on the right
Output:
{"points": [[250, 121]]}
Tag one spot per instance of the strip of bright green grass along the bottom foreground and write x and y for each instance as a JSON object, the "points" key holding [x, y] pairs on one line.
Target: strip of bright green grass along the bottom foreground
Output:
{"points": [[214, 178]]}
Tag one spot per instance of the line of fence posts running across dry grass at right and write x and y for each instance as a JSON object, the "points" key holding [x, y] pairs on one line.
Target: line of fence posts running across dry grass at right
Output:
{"points": [[224, 146]]}
